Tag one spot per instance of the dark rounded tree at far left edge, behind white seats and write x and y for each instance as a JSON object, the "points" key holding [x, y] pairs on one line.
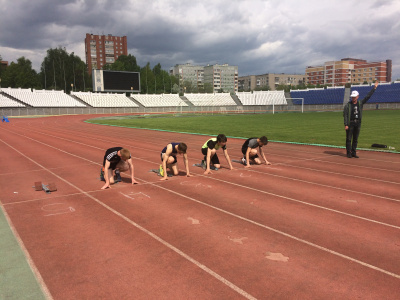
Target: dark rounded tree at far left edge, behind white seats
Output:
{"points": [[20, 75]]}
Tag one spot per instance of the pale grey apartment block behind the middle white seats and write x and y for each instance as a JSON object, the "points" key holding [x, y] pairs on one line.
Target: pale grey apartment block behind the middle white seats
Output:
{"points": [[219, 77]]}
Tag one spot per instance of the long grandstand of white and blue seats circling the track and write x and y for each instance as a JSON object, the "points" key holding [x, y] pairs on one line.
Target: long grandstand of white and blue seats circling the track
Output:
{"points": [[20, 102]]}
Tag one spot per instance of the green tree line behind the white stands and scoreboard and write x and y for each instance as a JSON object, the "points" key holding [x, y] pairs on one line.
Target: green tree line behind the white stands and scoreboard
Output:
{"points": [[60, 70]]}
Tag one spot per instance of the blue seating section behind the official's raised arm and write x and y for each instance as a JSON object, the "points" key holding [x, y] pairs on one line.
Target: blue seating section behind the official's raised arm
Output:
{"points": [[385, 93]]}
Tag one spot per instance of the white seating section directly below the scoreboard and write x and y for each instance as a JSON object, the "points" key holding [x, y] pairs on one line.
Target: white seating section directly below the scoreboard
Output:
{"points": [[105, 100]]}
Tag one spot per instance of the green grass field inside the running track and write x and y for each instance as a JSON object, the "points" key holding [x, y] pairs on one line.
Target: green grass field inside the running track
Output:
{"points": [[320, 128]]}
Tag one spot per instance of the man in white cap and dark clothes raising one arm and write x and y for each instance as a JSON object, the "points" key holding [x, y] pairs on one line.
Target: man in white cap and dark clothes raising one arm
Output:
{"points": [[352, 114]]}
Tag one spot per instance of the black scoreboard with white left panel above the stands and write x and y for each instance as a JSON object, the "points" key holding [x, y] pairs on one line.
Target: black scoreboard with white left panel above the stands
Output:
{"points": [[115, 81]]}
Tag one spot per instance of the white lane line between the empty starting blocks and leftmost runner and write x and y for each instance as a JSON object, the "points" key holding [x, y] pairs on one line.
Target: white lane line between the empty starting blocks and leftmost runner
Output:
{"points": [[165, 243]]}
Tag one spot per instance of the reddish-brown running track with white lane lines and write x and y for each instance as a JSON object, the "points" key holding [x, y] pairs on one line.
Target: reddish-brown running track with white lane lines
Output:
{"points": [[313, 225]]}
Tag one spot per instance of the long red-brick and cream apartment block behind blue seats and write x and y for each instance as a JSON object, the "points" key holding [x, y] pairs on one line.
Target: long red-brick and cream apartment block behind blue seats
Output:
{"points": [[349, 70]]}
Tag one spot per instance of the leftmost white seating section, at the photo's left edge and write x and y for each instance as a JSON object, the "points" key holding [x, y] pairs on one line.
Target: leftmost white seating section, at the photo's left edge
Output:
{"points": [[43, 98]]}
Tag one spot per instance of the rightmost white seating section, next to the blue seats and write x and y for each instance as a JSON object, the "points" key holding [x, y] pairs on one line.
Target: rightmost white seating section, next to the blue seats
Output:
{"points": [[262, 98]]}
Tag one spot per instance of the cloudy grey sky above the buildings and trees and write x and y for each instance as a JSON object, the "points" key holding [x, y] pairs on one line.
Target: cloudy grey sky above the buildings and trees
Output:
{"points": [[271, 36]]}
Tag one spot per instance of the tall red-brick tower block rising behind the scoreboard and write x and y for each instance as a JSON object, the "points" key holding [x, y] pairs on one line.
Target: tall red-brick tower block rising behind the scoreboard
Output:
{"points": [[103, 49]]}
